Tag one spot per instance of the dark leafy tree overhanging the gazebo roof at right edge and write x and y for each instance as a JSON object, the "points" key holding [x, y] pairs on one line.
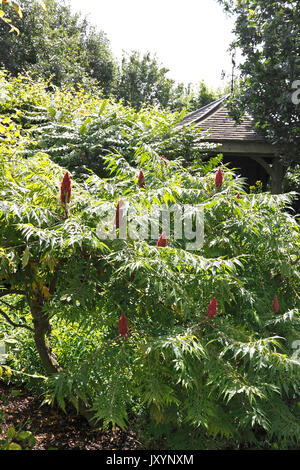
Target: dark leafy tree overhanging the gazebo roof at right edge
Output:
{"points": [[267, 33]]}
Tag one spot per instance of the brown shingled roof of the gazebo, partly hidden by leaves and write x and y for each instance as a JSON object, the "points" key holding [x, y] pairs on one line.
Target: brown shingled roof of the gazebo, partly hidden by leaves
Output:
{"points": [[214, 118]]}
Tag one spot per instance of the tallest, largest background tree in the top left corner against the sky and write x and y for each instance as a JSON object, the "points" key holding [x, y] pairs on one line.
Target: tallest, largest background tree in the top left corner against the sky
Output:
{"points": [[58, 44]]}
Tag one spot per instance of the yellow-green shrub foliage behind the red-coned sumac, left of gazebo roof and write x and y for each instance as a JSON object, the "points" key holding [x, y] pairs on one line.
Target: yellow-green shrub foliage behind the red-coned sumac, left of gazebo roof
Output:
{"points": [[79, 130]]}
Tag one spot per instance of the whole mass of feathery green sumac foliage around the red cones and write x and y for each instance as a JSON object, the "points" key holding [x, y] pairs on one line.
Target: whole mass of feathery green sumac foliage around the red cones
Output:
{"points": [[232, 378]]}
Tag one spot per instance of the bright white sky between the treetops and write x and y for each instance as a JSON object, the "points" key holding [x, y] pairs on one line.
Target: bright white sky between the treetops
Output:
{"points": [[189, 37]]}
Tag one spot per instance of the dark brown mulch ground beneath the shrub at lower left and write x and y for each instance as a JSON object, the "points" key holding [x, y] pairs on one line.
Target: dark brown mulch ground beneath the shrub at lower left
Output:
{"points": [[53, 429]]}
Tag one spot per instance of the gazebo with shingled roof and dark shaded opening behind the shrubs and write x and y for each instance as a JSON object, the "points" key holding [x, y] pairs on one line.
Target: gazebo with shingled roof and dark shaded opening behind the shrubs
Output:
{"points": [[242, 145]]}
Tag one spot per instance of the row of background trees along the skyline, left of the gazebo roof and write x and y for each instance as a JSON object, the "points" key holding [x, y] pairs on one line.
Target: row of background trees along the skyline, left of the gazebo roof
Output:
{"points": [[61, 46]]}
